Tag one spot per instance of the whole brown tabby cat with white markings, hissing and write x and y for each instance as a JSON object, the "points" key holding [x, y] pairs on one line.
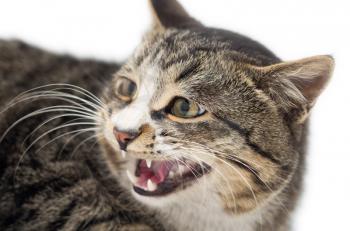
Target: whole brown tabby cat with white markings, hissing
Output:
{"points": [[200, 129]]}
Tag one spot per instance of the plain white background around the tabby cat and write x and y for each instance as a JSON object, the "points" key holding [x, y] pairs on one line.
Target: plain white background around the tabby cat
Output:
{"points": [[295, 29]]}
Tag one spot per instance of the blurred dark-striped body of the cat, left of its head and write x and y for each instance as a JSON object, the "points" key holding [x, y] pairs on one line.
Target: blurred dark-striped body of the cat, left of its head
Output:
{"points": [[52, 189]]}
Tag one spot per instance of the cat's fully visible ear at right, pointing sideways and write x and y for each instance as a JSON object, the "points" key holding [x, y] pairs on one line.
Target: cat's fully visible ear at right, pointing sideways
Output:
{"points": [[295, 86]]}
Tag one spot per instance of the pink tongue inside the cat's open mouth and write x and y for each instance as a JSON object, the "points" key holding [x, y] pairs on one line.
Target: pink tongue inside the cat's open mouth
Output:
{"points": [[157, 173]]}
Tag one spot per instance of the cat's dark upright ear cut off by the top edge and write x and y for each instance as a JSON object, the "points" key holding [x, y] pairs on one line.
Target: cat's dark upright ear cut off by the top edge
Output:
{"points": [[170, 14]]}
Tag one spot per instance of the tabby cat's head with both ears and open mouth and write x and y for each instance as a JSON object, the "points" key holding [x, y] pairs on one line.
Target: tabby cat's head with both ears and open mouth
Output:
{"points": [[202, 112]]}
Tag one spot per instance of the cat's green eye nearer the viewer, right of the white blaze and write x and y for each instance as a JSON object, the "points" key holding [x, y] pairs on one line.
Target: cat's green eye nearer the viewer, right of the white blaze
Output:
{"points": [[184, 108]]}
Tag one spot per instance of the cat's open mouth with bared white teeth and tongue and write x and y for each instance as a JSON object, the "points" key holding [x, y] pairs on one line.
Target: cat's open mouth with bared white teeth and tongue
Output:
{"points": [[157, 178]]}
